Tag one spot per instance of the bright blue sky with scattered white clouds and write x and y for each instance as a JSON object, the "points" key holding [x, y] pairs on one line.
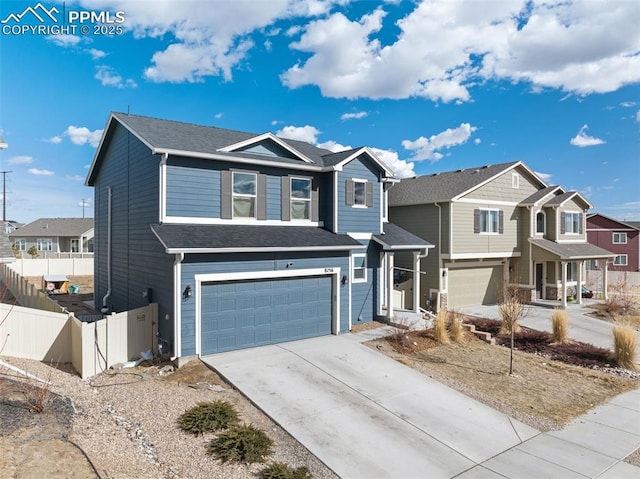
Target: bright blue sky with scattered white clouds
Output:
{"points": [[432, 86]]}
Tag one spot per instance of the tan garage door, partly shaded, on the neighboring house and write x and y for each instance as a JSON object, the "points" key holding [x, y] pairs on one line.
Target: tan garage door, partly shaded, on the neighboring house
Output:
{"points": [[471, 286]]}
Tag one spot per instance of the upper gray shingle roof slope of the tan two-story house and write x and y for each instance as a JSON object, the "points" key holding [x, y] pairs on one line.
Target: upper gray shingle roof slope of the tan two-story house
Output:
{"points": [[442, 186]]}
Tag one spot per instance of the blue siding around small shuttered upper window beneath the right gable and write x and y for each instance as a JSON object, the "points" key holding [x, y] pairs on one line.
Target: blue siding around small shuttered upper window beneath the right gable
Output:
{"points": [[353, 219]]}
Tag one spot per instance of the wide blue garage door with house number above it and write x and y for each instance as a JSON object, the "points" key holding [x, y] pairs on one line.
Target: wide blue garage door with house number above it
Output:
{"points": [[243, 314]]}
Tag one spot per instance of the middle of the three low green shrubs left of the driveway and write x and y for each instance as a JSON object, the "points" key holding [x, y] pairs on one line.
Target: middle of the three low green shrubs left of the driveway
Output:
{"points": [[244, 443]]}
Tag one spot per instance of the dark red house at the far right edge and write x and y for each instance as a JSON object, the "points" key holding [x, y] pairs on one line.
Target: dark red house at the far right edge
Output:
{"points": [[621, 238]]}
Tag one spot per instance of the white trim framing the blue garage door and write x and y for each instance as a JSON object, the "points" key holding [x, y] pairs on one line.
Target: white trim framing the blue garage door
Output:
{"points": [[252, 275]]}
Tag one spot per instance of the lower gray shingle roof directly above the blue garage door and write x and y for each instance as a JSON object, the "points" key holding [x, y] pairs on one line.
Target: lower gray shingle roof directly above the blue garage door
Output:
{"points": [[237, 238]]}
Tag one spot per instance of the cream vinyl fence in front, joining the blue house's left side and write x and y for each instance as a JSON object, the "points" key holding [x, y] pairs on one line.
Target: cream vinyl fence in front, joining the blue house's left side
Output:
{"points": [[62, 338]]}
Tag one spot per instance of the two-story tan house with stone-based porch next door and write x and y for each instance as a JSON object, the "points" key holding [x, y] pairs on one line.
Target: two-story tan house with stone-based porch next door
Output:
{"points": [[495, 226]]}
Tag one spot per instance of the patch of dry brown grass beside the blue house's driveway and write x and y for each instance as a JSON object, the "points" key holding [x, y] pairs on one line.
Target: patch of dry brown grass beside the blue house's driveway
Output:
{"points": [[549, 391]]}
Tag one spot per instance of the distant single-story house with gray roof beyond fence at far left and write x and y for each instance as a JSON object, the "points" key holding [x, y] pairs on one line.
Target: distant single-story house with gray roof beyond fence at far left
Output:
{"points": [[54, 237]]}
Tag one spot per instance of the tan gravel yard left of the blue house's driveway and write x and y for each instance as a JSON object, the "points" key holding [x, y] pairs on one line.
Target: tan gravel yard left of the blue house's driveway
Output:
{"points": [[125, 422]]}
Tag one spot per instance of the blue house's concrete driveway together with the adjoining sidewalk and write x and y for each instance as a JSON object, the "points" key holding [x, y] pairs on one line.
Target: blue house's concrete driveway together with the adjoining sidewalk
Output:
{"points": [[367, 416]]}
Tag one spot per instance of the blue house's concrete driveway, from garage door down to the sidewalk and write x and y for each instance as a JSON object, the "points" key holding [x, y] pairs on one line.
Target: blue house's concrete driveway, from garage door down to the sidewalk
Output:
{"points": [[365, 415]]}
